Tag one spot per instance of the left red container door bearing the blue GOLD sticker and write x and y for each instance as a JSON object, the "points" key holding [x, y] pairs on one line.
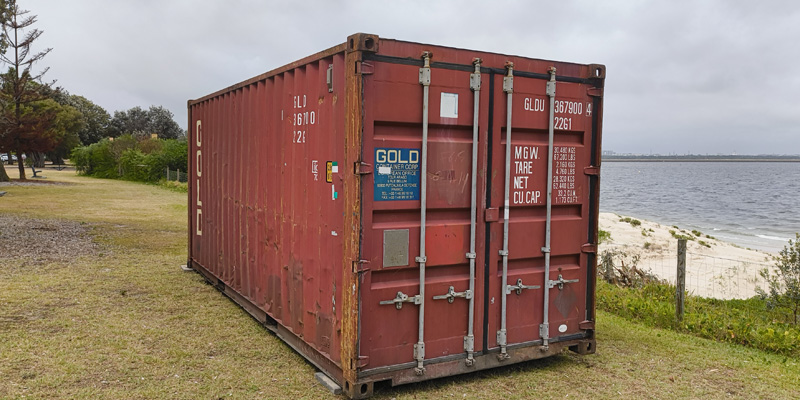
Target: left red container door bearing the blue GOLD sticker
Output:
{"points": [[393, 195]]}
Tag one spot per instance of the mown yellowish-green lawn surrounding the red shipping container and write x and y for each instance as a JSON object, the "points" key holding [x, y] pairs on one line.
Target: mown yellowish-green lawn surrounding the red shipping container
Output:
{"points": [[128, 323]]}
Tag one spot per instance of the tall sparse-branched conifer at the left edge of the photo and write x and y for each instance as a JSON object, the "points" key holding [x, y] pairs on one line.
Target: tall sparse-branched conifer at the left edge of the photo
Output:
{"points": [[20, 120]]}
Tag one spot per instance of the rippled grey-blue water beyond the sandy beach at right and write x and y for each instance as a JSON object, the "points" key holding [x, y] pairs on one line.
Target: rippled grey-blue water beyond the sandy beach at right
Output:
{"points": [[752, 204]]}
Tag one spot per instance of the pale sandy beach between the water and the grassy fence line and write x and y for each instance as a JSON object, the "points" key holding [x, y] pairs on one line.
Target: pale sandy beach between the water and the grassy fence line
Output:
{"points": [[714, 268]]}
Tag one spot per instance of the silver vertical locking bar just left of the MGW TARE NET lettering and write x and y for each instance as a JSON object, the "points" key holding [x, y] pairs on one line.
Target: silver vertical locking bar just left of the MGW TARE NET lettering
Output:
{"points": [[508, 88]]}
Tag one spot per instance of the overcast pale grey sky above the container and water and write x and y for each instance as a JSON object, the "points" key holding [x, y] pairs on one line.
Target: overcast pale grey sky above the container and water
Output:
{"points": [[701, 77]]}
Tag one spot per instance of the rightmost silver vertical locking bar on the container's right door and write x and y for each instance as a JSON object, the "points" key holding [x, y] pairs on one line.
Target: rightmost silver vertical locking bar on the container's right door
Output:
{"points": [[544, 328]]}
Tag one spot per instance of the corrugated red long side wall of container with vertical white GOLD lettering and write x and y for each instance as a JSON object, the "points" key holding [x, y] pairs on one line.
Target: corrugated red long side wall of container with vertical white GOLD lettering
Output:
{"points": [[268, 219]]}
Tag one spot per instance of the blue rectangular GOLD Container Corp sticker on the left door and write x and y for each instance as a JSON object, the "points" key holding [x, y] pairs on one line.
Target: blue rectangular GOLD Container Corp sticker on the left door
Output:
{"points": [[396, 174]]}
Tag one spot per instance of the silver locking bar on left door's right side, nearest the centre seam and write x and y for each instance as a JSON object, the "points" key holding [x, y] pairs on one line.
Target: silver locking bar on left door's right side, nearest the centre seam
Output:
{"points": [[475, 86]]}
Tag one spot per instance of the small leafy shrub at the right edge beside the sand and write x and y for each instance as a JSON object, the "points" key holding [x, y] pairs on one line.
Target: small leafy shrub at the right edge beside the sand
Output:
{"points": [[783, 284]]}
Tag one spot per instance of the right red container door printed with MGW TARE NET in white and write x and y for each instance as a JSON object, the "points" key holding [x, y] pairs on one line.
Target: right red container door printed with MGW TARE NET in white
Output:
{"points": [[540, 297]]}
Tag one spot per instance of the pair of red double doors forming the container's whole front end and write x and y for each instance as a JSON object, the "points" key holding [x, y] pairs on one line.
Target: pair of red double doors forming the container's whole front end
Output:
{"points": [[467, 305]]}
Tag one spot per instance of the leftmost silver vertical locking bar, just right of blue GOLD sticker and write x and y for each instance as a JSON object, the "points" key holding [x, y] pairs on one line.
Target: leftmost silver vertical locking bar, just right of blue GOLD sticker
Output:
{"points": [[425, 81]]}
